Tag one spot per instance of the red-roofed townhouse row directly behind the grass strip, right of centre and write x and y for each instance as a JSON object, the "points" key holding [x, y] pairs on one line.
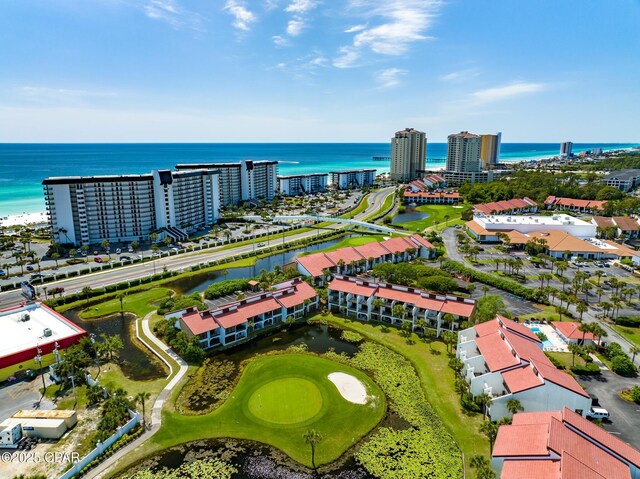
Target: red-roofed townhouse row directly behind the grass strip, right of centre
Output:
{"points": [[366, 301]]}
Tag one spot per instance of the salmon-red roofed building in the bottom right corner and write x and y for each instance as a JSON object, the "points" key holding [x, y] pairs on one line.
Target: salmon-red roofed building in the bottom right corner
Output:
{"points": [[560, 444]]}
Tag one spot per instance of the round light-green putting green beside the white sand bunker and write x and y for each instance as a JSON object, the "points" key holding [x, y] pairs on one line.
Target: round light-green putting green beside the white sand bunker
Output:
{"points": [[272, 403]]}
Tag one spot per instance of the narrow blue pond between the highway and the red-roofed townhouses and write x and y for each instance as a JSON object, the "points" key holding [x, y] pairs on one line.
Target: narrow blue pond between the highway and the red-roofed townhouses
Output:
{"points": [[200, 282]]}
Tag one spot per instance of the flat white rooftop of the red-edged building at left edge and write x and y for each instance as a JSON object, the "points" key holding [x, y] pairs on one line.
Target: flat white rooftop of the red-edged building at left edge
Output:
{"points": [[19, 334]]}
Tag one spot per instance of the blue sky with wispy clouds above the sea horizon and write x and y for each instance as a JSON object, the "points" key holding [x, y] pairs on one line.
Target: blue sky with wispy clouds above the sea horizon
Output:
{"points": [[318, 70]]}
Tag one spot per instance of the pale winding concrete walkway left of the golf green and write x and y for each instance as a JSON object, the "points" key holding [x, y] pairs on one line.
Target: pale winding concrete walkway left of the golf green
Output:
{"points": [[156, 413]]}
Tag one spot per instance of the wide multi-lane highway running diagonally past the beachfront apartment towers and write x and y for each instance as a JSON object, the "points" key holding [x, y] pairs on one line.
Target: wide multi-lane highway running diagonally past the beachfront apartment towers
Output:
{"points": [[180, 262]]}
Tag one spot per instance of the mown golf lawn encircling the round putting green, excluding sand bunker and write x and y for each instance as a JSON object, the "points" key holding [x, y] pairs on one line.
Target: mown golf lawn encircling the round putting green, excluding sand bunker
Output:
{"points": [[277, 400]]}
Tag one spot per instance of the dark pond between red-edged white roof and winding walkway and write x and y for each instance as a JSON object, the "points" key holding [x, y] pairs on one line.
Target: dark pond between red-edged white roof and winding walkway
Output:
{"points": [[136, 361]]}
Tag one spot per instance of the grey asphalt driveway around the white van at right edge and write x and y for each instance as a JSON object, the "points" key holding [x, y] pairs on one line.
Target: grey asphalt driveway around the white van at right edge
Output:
{"points": [[624, 416]]}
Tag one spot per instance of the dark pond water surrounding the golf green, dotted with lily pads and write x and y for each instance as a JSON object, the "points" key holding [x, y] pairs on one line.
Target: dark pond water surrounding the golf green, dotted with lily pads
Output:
{"points": [[254, 460]]}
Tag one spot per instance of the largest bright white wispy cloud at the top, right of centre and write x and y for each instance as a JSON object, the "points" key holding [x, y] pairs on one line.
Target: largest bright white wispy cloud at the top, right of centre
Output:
{"points": [[395, 24]]}
